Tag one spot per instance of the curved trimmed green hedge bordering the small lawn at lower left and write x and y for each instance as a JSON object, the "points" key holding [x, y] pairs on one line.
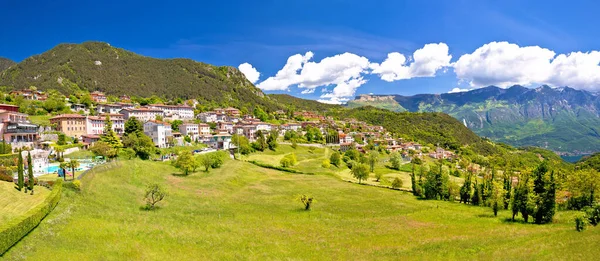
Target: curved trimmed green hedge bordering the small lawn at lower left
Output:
{"points": [[14, 230]]}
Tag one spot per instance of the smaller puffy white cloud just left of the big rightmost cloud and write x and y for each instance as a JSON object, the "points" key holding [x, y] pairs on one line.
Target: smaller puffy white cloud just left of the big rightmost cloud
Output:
{"points": [[425, 62]]}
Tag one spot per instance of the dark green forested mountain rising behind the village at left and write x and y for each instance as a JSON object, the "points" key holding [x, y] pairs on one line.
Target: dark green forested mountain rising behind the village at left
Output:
{"points": [[96, 66]]}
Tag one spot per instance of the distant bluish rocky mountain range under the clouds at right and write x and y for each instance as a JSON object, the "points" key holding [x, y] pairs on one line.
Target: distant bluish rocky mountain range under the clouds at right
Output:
{"points": [[561, 119]]}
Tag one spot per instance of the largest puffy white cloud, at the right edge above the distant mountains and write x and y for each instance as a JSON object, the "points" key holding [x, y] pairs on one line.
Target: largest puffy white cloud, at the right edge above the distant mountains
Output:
{"points": [[505, 64]]}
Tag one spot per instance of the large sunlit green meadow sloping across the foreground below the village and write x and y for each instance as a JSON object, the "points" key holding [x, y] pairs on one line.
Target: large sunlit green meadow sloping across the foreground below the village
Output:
{"points": [[242, 211]]}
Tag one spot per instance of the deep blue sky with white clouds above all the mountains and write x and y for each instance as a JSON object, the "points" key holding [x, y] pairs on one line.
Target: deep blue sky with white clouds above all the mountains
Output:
{"points": [[266, 33]]}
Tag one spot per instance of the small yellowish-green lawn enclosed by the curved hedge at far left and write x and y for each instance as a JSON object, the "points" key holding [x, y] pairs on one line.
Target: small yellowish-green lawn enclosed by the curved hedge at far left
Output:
{"points": [[14, 203]]}
